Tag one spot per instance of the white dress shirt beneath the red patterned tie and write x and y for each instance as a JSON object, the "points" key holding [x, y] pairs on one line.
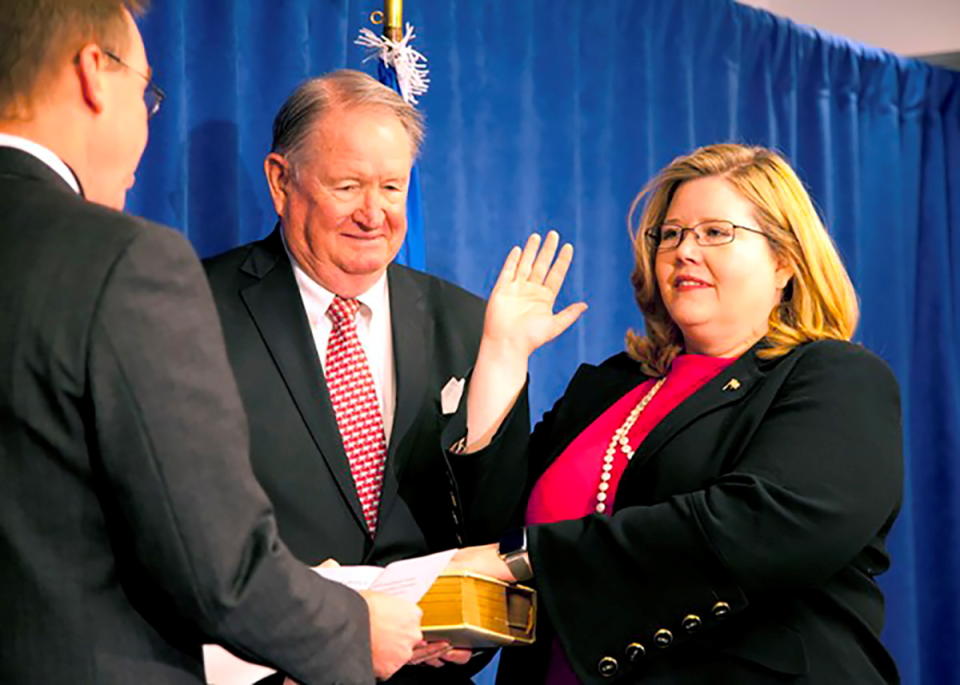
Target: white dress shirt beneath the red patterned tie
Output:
{"points": [[373, 329]]}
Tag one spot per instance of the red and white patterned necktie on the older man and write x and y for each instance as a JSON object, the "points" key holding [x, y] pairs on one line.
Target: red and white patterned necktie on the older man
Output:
{"points": [[354, 399]]}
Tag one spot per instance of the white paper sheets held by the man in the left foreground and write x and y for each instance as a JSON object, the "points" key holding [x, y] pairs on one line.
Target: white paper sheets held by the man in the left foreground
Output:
{"points": [[408, 579]]}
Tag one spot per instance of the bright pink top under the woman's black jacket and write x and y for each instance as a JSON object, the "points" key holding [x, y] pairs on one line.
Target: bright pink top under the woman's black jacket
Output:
{"points": [[568, 488]]}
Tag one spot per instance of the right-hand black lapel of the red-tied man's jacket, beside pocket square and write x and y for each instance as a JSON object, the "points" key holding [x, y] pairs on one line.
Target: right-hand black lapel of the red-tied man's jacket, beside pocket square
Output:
{"points": [[412, 347]]}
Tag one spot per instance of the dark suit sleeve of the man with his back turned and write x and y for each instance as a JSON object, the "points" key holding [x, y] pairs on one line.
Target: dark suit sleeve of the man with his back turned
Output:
{"points": [[173, 461]]}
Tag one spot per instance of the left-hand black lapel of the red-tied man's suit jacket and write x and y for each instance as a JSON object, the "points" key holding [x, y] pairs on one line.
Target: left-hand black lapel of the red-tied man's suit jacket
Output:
{"points": [[274, 303]]}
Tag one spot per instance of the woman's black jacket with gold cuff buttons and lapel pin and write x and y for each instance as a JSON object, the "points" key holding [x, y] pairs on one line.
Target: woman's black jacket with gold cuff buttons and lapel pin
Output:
{"points": [[746, 534]]}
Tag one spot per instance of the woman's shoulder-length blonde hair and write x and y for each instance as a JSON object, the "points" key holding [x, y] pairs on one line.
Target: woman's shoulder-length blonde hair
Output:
{"points": [[818, 303]]}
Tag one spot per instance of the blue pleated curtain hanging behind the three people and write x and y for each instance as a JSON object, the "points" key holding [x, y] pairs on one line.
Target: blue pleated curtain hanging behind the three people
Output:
{"points": [[553, 113]]}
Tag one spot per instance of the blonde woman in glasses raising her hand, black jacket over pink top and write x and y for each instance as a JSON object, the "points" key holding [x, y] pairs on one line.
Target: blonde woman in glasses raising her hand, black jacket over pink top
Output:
{"points": [[711, 505]]}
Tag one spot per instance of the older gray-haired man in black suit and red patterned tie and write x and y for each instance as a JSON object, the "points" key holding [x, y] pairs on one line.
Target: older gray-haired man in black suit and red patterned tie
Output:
{"points": [[343, 148]]}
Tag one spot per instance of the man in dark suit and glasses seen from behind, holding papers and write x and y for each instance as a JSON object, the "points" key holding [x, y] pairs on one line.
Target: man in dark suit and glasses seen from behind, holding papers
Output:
{"points": [[131, 526]]}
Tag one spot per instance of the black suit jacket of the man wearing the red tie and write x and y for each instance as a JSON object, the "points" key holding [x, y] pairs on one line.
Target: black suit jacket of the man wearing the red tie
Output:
{"points": [[429, 501]]}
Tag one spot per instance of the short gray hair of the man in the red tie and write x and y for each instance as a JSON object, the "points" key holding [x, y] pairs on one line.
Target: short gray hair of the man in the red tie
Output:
{"points": [[341, 89]]}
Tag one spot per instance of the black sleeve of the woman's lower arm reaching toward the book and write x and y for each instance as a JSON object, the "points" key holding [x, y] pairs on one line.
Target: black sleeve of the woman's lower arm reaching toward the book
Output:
{"points": [[813, 484]]}
